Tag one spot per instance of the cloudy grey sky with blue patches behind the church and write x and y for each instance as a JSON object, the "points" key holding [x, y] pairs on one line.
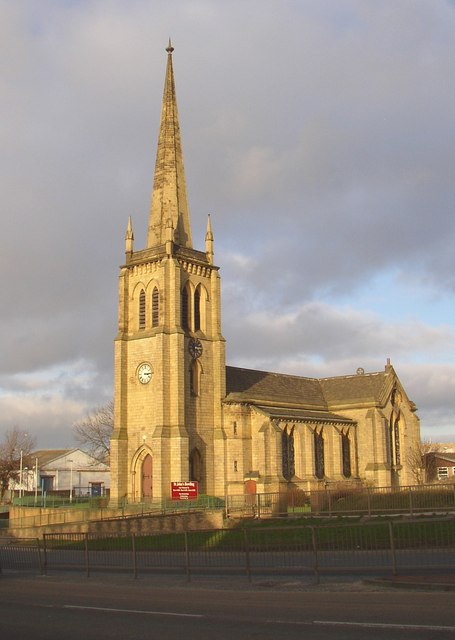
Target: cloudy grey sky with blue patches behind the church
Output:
{"points": [[320, 137]]}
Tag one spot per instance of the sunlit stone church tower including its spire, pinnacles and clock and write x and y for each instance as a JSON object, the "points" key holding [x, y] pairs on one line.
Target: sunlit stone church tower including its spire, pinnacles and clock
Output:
{"points": [[169, 351]]}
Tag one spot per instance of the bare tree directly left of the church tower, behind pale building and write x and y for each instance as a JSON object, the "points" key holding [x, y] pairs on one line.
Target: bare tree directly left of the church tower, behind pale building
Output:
{"points": [[94, 432]]}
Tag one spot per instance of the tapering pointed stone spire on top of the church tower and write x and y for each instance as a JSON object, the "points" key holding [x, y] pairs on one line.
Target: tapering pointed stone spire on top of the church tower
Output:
{"points": [[169, 198]]}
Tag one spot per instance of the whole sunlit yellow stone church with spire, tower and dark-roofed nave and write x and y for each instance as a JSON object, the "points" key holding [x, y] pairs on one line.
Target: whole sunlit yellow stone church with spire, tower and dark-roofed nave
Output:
{"points": [[182, 415]]}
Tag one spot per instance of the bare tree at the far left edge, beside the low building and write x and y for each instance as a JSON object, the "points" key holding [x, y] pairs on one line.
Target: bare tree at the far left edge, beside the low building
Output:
{"points": [[16, 444]]}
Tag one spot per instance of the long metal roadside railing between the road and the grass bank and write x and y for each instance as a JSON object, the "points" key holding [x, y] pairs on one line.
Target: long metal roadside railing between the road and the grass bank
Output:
{"points": [[381, 546]]}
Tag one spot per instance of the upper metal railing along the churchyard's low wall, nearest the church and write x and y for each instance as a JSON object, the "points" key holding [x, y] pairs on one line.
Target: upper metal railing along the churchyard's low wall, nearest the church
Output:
{"points": [[332, 501]]}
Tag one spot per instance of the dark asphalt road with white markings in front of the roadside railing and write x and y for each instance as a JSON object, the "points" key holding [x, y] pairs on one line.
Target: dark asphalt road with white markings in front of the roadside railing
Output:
{"points": [[71, 607]]}
